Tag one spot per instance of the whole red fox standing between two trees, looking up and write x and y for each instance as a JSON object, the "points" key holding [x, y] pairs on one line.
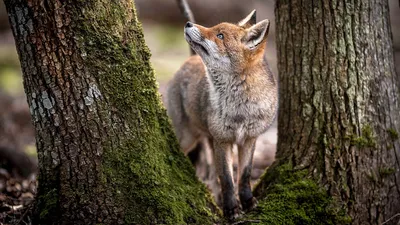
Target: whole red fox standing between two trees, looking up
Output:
{"points": [[227, 95]]}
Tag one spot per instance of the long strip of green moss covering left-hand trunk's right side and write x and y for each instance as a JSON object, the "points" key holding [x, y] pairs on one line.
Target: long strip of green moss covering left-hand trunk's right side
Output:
{"points": [[149, 179]]}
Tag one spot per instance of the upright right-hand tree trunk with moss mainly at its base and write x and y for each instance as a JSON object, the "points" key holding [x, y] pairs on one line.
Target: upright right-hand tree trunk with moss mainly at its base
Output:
{"points": [[338, 146]]}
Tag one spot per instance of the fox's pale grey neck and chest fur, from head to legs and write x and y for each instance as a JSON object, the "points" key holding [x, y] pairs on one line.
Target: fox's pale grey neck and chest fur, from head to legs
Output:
{"points": [[241, 104]]}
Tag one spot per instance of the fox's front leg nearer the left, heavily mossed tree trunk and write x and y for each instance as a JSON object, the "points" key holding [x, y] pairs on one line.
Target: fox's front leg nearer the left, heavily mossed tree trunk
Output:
{"points": [[223, 166]]}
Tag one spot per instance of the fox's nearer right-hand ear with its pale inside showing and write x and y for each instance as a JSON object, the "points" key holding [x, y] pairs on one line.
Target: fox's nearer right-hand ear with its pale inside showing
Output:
{"points": [[256, 34]]}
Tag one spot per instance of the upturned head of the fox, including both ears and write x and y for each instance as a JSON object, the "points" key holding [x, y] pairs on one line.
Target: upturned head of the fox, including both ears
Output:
{"points": [[228, 46]]}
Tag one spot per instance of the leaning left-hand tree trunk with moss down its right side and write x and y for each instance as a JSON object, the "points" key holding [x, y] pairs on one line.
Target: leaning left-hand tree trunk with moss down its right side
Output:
{"points": [[106, 150]]}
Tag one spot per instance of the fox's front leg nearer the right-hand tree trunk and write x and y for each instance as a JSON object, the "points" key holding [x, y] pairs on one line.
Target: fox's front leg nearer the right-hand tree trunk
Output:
{"points": [[246, 152]]}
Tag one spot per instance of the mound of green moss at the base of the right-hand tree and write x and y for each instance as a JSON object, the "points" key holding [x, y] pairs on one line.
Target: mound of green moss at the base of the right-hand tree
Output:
{"points": [[293, 198]]}
